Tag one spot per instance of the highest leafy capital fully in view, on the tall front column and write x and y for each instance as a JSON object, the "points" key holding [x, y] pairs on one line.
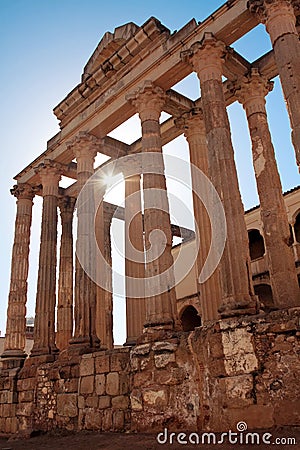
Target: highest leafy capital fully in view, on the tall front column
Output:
{"points": [[206, 57]]}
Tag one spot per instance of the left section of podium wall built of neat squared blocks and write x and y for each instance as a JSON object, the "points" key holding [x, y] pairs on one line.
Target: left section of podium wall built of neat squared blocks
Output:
{"points": [[88, 392]]}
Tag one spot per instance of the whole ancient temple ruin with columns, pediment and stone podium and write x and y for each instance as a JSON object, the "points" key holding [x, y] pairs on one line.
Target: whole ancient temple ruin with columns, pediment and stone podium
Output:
{"points": [[239, 362]]}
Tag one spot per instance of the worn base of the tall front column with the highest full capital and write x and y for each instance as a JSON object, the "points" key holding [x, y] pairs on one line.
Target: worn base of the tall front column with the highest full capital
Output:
{"points": [[234, 307]]}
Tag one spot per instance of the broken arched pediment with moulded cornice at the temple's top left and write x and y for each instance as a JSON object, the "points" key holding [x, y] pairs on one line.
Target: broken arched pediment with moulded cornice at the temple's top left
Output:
{"points": [[131, 43]]}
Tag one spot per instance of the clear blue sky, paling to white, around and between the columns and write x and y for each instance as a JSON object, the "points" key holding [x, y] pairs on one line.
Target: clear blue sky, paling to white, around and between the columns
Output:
{"points": [[44, 46]]}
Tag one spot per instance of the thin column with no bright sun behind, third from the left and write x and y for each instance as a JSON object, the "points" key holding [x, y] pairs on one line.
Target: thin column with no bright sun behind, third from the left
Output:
{"points": [[65, 281]]}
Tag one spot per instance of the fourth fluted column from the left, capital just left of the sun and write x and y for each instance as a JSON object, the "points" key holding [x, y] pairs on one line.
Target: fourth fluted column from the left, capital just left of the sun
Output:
{"points": [[85, 147]]}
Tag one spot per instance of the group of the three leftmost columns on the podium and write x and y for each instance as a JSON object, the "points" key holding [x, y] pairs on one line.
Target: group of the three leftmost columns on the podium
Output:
{"points": [[46, 289]]}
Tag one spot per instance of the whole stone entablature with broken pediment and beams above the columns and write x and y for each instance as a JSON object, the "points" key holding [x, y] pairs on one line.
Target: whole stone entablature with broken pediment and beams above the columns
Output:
{"points": [[158, 60]]}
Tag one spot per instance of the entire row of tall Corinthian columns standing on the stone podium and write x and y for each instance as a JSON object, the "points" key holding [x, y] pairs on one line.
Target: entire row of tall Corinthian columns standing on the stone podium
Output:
{"points": [[229, 291]]}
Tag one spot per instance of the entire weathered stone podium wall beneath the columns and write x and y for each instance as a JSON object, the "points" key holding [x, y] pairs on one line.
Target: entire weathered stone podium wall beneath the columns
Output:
{"points": [[243, 369]]}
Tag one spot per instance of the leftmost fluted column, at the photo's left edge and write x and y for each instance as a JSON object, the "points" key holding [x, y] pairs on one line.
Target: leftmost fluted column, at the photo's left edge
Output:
{"points": [[14, 343]]}
